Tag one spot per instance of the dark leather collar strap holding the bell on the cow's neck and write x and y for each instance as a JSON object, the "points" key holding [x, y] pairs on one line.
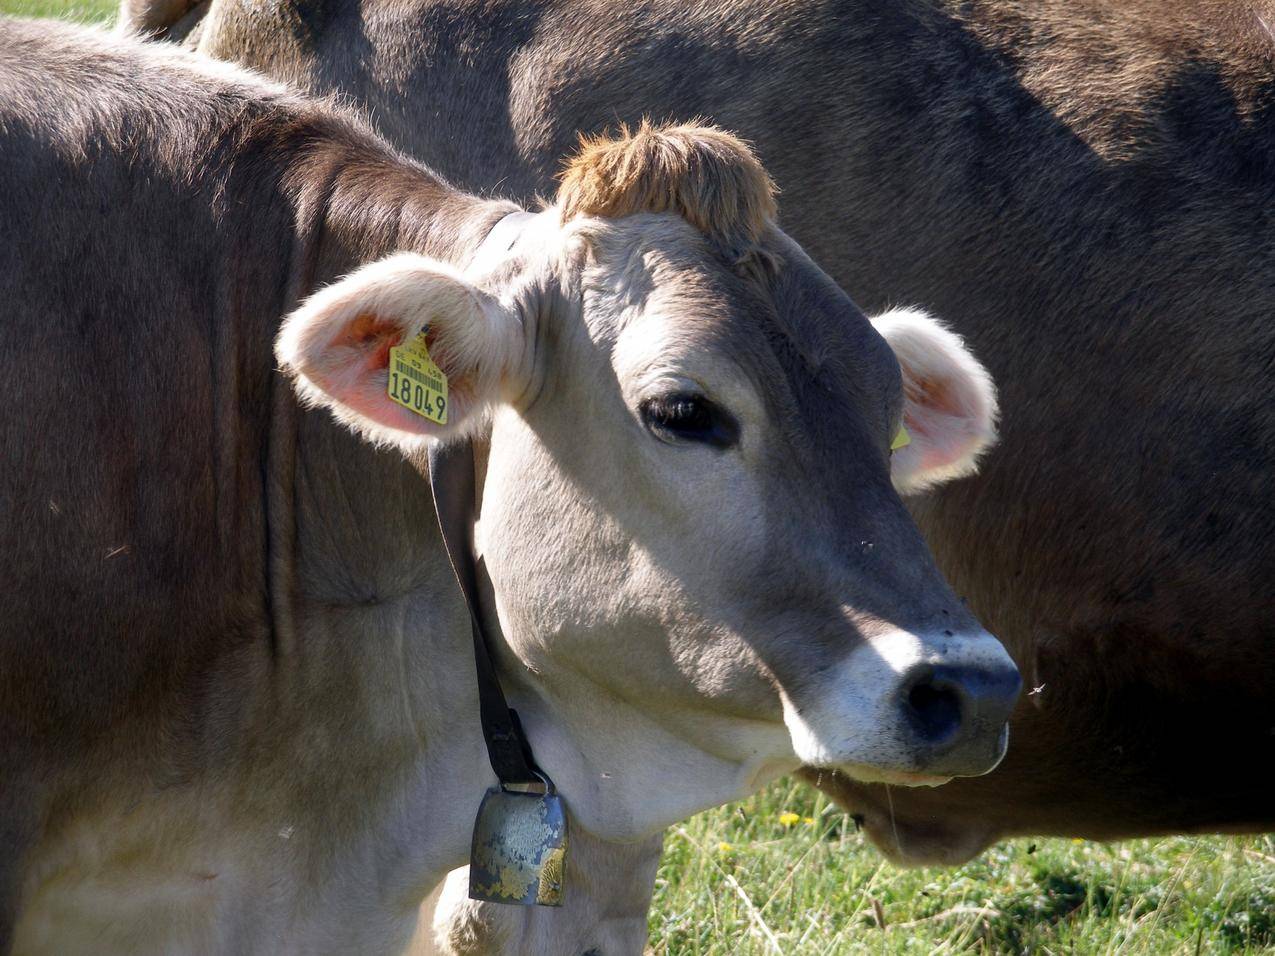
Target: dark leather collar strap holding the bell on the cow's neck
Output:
{"points": [[452, 481]]}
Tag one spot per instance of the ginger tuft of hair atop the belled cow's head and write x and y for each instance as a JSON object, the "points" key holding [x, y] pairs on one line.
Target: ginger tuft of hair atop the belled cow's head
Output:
{"points": [[706, 175]]}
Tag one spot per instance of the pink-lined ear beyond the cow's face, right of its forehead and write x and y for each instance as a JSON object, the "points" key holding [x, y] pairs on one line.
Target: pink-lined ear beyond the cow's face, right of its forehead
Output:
{"points": [[949, 406]]}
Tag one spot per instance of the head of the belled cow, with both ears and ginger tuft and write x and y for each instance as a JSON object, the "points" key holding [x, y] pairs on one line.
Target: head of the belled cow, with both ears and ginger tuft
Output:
{"points": [[690, 516]]}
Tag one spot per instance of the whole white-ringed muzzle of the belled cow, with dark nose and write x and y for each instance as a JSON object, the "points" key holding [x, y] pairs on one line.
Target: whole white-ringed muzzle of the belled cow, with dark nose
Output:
{"points": [[910, 709]]}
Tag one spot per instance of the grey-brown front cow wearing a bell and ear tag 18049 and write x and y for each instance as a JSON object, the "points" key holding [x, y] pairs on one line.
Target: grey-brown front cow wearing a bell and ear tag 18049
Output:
{"points": [[238, 703]]}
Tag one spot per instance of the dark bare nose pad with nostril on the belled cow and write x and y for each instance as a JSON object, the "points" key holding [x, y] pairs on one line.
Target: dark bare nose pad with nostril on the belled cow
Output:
{"points": [[959, 716]]}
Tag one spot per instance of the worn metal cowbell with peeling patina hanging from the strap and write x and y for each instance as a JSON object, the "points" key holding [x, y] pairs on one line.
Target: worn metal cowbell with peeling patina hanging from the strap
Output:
{"points": [[520, 848]]}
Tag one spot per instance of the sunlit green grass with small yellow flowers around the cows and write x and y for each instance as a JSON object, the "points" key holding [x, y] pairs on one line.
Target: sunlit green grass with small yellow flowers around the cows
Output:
{"points": [[785, 873]]}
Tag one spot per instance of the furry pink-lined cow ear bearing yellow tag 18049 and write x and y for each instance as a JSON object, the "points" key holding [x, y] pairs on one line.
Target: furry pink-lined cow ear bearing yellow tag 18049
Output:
{"points": [[453, 346]]}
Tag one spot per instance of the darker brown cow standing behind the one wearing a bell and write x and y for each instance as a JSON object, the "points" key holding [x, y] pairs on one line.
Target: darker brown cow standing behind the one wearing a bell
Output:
{"points": [[1087, 189]]}
